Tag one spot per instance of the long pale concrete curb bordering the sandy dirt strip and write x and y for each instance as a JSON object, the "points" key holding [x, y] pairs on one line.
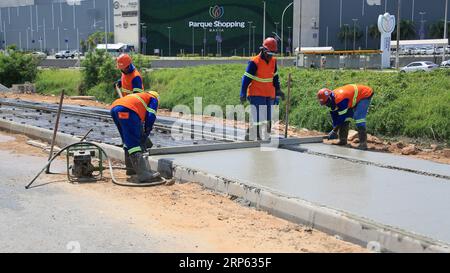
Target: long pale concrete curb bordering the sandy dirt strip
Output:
{"points": [[350, 228]]}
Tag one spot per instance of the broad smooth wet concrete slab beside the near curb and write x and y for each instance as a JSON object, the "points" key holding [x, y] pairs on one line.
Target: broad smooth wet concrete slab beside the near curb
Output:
{"points": [[412, 202]]}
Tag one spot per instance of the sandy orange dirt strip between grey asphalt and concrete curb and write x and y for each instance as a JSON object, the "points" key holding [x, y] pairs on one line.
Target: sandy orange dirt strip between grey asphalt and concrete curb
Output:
{"points": [[210, 218]]}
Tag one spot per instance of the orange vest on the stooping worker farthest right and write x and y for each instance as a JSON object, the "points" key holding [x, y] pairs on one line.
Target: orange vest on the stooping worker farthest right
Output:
{"points": [[353, 92]]}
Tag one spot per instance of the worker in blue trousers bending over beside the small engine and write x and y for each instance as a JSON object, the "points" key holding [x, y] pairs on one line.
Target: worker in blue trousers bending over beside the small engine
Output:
{"points": [[134, 116]]}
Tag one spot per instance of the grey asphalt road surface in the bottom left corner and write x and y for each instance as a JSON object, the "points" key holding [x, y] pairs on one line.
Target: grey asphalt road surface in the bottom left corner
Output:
{"points": [[52, 218]]}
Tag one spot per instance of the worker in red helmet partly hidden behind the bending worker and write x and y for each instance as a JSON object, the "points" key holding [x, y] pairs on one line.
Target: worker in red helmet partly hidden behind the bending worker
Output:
{"points": [[131, 80]]}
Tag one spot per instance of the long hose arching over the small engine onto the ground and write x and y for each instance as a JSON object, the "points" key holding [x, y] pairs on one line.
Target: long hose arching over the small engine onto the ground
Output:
{"points": [[114, 180]]}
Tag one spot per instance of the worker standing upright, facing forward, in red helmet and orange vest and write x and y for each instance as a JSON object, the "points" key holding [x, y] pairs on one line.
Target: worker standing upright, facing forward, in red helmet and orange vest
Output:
{"points": [[261, 86]]}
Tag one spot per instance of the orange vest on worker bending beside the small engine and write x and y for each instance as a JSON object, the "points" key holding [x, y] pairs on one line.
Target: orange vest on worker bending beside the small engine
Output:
{"points": [[138, 103]]}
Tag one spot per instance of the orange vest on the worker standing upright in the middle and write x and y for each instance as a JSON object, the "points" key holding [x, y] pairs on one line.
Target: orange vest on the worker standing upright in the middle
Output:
{"points": [[262, 82]]}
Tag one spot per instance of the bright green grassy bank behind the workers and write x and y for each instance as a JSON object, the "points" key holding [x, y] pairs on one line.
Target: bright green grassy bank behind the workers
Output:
{"points": [[413, 104]]}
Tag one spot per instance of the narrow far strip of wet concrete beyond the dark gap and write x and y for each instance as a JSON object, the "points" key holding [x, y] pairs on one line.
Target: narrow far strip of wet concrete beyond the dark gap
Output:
{"points": [[381, 158]]}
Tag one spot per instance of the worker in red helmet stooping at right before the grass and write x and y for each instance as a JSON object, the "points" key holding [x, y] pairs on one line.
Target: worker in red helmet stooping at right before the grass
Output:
{"points": [[347, 102]]}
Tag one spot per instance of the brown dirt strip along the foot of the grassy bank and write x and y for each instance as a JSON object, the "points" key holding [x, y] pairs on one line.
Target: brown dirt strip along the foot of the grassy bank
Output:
{"points": [[436, 152]]}
